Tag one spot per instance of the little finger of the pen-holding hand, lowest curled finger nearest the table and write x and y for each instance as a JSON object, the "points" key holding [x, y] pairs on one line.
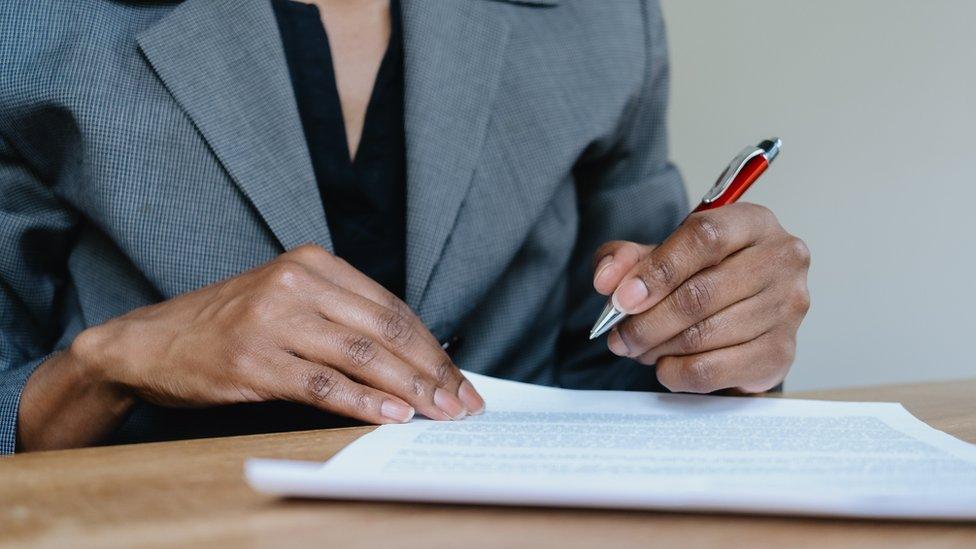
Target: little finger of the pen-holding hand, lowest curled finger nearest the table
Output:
{"points": [[753, 367]]}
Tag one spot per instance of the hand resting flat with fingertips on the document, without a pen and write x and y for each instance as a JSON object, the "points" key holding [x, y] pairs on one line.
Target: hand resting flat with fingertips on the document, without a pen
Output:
{"points": [[306, 327]]}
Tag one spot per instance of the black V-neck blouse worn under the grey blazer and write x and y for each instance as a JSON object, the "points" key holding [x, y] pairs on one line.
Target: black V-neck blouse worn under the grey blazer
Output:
{"points": [[365, 198]]}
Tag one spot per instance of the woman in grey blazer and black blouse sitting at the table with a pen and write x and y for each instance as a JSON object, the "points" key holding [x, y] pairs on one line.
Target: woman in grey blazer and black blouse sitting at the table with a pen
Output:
{"points": [[226, 216]]}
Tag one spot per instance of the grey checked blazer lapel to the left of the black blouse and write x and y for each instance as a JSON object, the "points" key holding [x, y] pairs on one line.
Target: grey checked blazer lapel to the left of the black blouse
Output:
{"points": [[223, 62]]}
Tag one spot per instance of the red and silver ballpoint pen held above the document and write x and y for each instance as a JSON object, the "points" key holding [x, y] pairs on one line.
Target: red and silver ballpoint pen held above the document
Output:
{"points": [[740, 174]]}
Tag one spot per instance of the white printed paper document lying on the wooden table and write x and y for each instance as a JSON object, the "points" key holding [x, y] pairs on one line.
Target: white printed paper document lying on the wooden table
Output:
{"points": [[555, 447]]}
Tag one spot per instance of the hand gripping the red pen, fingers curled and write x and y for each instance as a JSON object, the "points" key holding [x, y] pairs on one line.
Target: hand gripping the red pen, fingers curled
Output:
{"points": [[716, 306]]}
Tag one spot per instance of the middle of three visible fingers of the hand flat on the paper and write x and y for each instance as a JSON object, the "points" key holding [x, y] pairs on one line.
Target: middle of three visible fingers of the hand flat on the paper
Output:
{"points": [[362, 358]]}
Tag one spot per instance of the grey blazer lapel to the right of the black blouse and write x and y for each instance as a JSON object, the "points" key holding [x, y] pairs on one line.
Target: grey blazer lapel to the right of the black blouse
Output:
{"points": [[454, 52]]}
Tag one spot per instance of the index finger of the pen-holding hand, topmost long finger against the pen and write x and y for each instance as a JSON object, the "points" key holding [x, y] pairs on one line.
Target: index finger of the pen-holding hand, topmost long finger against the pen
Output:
{"points": [[703, 240]]}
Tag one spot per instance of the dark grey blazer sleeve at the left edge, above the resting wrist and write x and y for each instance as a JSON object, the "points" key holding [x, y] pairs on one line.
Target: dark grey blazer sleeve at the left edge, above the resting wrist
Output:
{"points": [[34, 234]]}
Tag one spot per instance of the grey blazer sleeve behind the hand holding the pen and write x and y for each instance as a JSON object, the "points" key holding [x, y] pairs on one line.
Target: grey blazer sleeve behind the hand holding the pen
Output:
{"points": [[629, 192]]}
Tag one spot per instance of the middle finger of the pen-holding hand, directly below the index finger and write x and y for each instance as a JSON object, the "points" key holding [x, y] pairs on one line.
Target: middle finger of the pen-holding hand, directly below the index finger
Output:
{"points": [[704, 294]]}
